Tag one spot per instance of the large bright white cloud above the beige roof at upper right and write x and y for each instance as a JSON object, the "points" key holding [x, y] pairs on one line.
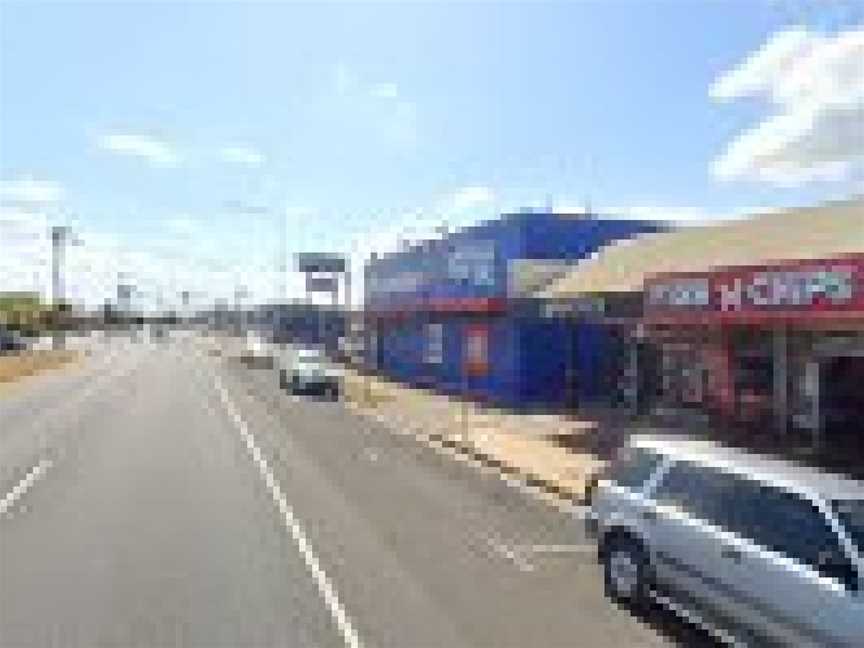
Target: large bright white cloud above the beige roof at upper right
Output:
{"points": [[814, 83]]}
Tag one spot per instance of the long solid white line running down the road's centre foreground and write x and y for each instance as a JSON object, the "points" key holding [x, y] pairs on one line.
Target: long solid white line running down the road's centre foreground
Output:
{"points": [[322, 581]]}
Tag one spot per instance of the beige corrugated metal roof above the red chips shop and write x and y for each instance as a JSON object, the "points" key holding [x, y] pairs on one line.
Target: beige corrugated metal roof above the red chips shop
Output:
{"points": [[824, 231]]}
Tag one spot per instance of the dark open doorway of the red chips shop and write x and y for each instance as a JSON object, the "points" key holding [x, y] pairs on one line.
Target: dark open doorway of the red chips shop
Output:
{"points": [[841, 403]]}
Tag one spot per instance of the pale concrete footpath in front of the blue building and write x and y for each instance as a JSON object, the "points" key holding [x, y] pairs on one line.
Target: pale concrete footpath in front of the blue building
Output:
{"points": [[549, 452]]}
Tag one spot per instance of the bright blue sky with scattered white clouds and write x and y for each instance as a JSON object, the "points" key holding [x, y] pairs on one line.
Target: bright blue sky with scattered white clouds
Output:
{"points": [[187, 144]]}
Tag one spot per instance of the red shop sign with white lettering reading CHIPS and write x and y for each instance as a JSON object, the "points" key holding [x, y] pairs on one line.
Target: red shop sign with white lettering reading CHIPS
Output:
{"points": [[802, 288]]}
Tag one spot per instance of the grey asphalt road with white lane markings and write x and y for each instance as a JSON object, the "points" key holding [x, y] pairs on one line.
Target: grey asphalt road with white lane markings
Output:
{"points": [[183, 499]]}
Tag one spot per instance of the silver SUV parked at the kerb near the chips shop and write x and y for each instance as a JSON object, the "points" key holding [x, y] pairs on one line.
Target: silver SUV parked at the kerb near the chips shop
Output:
{"points": [[759, 550]]}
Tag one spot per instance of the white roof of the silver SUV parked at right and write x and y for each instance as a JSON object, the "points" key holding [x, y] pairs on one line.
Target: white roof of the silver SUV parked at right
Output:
{"points": [[794, 476]]}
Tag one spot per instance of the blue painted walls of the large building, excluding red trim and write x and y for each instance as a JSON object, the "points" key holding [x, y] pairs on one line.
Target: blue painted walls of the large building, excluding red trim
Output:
{"points": [[529, 358]]}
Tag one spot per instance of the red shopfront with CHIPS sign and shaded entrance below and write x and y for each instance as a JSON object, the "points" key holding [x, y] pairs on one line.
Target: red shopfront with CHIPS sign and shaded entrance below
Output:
{"points": [[772, 346]]}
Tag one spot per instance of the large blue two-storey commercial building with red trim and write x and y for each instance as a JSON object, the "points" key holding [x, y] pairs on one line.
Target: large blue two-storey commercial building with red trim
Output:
{"points": [[457, 314]]}
